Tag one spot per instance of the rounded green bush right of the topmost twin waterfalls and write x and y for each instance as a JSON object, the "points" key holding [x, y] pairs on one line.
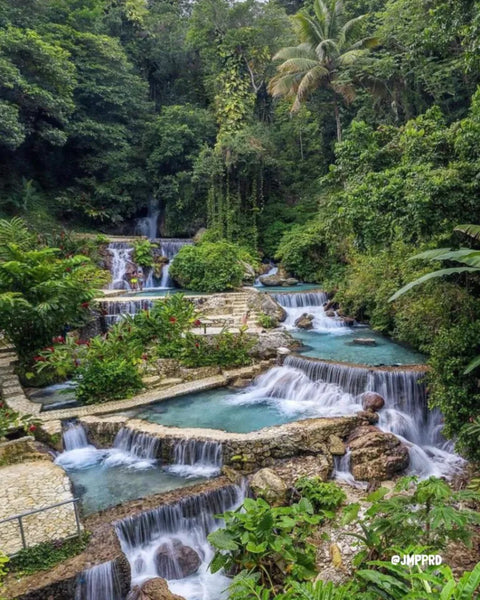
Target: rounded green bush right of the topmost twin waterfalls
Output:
{"points": [[209, 267]]}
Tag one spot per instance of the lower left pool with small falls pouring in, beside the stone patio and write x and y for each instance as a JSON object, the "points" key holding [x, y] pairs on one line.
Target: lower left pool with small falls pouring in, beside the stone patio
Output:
{"points": [[128, 470]]}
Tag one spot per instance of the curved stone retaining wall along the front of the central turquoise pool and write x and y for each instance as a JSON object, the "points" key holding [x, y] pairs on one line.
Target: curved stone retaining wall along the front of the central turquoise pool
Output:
{"points": [[241, 451]]}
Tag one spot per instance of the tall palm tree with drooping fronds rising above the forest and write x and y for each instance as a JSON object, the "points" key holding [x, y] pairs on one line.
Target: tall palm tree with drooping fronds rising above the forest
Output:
{"points": [[328, 44]]}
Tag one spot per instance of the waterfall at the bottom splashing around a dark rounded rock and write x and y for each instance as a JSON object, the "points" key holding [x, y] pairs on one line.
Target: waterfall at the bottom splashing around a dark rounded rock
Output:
{"points": [[188, 521]]}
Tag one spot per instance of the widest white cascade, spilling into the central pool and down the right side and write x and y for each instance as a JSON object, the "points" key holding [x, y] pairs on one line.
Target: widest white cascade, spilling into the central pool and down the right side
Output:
{"points": [[305, 388]]}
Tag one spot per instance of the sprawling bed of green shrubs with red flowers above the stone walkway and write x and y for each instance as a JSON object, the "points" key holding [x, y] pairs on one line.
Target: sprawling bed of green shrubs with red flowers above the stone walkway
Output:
{"points": [[110, 366]]}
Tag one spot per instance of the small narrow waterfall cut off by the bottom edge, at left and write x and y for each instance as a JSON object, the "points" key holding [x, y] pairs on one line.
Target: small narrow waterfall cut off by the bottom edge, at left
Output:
{"points": [[101, 582]]}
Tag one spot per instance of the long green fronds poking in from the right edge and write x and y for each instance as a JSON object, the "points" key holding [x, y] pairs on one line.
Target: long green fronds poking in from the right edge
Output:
{"points": [[470, 259]]}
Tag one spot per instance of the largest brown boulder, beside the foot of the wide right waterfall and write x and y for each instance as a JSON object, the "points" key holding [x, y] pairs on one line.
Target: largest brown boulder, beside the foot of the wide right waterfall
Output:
{"points": [[376, 455]]}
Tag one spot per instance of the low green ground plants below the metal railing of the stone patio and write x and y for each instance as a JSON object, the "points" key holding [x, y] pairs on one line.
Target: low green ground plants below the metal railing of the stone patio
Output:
{"points": [[46, 555]]}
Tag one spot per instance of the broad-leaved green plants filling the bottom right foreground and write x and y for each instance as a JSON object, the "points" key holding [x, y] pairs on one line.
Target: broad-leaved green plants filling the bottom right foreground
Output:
{"points": [[416, 518]]}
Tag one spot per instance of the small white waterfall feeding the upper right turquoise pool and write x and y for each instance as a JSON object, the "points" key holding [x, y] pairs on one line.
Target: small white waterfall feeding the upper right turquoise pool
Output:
{"points": [[296, 304]]}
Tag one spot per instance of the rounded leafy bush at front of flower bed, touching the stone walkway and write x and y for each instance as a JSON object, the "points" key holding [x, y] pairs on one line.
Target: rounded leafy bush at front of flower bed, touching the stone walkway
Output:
{"points": [[103, 380]]}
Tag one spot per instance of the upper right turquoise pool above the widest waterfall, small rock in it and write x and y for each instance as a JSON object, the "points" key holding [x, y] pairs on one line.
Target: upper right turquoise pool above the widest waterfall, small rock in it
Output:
{"points": [[340, 347]]}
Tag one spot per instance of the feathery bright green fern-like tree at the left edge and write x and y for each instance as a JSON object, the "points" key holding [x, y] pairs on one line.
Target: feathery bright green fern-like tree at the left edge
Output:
{"points": [[41, 291]]}
